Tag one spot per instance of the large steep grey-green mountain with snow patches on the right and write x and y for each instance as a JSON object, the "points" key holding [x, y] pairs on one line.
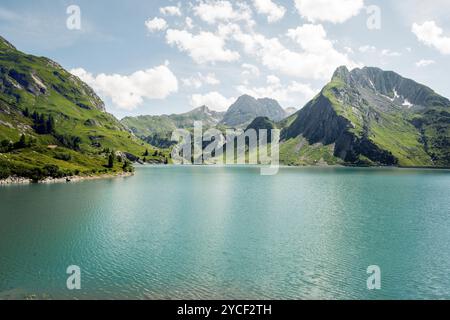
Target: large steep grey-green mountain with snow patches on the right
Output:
{"points": [[370, 117]]}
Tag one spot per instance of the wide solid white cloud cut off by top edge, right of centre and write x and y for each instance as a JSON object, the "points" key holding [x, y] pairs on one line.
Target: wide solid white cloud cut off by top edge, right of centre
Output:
{"points": [[335, 11]]}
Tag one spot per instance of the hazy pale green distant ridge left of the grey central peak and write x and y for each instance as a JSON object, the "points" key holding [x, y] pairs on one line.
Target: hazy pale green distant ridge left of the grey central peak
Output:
{"points": [[157, 130]]}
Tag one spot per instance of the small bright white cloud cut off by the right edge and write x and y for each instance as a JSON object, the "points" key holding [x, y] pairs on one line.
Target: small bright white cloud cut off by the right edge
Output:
{"points": [[430, 34]]}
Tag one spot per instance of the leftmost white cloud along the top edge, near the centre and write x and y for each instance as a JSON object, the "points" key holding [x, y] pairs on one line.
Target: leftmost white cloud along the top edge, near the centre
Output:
{"points": [[223, 11]]}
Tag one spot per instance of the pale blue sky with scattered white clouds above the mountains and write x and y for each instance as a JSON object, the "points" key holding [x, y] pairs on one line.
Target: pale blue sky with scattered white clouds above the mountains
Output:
{"points": [[155, 57]]}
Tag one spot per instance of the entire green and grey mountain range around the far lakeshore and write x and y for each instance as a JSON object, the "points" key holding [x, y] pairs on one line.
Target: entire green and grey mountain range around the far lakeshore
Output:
{"points": [[53, 124]]}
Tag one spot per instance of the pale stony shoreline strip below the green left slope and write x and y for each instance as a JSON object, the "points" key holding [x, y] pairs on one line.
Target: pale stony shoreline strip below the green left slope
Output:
{"points": [[26, 181]]}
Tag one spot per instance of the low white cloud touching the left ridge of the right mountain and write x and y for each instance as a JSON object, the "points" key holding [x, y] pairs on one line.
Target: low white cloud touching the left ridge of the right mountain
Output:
{"points": [[292, 94]]}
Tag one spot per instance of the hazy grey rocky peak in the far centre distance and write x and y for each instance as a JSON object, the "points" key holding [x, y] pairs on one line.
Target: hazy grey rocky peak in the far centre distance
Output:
{"points": [[247, 108]]}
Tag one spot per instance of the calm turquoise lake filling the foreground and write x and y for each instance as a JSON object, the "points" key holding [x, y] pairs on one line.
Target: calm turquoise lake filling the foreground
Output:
{"points": [[230, 233]]}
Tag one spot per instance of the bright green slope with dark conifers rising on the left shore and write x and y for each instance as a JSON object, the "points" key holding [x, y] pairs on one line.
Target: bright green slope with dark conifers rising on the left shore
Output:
{"points": [[51, 123]]}
